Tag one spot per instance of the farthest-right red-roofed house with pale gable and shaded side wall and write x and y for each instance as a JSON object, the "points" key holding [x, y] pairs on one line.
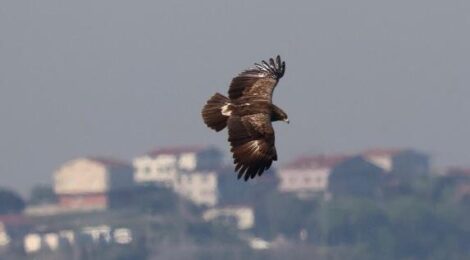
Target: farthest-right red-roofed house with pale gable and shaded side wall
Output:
{"points": [[399, 161]]}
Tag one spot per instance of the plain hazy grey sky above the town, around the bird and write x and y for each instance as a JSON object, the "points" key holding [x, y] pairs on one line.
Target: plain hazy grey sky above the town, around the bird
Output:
{"points": [[118, 78]]}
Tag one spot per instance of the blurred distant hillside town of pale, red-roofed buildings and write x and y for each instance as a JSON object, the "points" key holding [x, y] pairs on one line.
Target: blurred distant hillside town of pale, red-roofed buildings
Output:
{"points": [[96, 202]]}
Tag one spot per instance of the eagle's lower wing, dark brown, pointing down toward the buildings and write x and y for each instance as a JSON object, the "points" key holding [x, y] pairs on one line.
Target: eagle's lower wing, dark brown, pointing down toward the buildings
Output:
{"points": [[252, 141]]}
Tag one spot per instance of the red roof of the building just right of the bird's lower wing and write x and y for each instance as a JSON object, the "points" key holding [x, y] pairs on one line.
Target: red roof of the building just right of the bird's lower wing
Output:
{"points": [[318, 161]]}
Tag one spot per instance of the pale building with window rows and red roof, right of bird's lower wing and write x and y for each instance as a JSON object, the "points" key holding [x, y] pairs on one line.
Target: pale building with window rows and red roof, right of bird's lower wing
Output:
{"points": [[308, 174]]}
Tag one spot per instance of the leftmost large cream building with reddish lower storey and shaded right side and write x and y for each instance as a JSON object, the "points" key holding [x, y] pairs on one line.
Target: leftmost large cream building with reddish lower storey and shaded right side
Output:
{"points": [[91, 183]]}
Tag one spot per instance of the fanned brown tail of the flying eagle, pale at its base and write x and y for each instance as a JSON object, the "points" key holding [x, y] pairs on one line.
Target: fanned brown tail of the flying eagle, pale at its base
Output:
{"points": [[215, 113]]}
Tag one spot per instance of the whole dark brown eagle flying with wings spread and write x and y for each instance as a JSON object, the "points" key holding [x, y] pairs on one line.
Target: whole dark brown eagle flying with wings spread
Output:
{"points": [[247, 112]]}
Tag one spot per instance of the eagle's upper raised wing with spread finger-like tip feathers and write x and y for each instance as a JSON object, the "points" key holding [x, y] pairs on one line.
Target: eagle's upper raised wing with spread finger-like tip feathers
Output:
{"points": [[258, 82]]}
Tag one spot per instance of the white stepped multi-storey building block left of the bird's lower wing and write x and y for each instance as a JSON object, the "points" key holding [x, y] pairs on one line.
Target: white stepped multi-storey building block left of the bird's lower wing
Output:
{"points": [[189, 171]]}
